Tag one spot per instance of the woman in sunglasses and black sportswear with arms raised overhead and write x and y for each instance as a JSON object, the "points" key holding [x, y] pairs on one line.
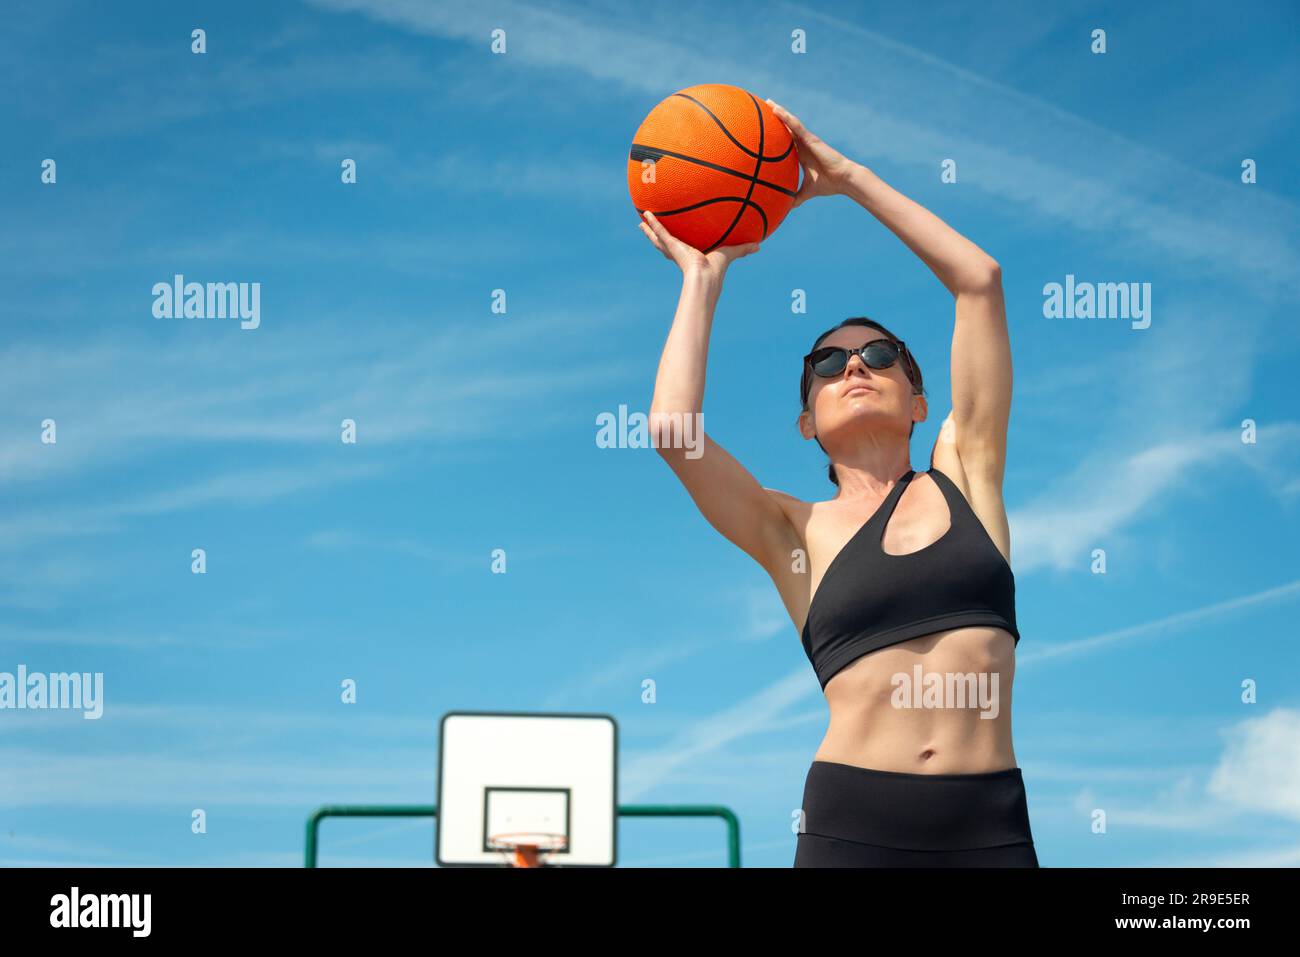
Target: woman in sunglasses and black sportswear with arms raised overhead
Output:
{"points": [[902, 586]]}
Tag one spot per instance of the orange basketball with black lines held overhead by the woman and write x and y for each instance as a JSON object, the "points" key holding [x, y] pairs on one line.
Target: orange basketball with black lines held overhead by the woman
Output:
{"points": [[716, 166]]}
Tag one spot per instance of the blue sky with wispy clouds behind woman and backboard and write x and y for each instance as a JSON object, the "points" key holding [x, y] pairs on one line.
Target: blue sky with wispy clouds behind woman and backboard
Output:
{"points": [[476, 430]]}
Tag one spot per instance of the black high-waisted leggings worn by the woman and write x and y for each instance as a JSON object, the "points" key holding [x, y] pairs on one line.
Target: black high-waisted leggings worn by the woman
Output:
{"points": [[860, 817]]}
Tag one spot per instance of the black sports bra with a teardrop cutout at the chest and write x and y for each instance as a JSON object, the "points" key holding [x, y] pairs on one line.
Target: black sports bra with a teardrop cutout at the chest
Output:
{"points": [[869, 599]]}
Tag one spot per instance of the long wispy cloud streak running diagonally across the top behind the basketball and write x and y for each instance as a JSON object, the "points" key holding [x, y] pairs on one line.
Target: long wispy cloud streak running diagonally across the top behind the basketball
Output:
{"points": [[895, 103]]}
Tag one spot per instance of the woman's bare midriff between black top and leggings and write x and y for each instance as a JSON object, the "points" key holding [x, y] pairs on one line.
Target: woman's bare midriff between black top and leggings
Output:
{"points": [[874, 726]]}
